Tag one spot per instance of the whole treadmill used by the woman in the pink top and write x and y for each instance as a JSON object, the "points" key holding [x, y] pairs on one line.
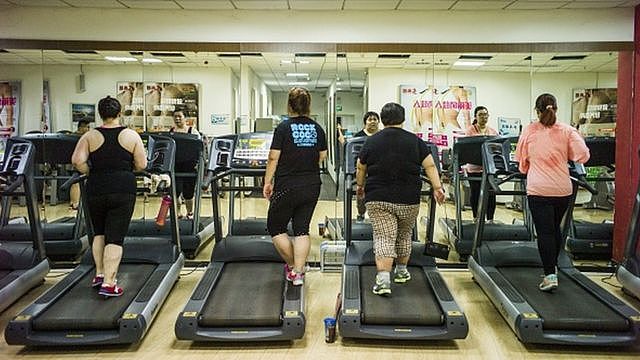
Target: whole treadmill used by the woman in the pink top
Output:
{"points": [[579, 312]]}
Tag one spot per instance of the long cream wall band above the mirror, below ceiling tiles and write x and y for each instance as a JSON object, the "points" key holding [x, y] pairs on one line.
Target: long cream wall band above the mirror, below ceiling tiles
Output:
{"points": [[498, 26]]}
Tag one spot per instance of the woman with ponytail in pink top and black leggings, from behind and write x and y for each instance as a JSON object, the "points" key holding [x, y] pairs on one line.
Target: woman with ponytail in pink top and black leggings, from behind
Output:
{"points": [[543, 151]]}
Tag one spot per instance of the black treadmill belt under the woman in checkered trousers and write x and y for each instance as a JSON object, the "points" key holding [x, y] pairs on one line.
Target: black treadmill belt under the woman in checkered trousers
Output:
{"points": [[411, 303]]}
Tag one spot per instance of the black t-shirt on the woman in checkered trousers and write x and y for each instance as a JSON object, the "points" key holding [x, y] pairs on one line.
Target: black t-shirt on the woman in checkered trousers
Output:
{"points": [[393, 157]]}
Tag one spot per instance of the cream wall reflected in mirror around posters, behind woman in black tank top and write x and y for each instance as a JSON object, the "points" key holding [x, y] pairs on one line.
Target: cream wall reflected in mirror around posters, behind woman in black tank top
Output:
{"points": [[215, 89]]}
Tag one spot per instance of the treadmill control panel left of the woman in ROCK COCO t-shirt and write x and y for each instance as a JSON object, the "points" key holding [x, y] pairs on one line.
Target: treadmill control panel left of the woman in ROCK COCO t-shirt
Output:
{"points": [[241, 151]]}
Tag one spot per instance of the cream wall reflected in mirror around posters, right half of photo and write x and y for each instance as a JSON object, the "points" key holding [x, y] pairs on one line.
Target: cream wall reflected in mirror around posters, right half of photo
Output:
{"points": [[505, 94]]}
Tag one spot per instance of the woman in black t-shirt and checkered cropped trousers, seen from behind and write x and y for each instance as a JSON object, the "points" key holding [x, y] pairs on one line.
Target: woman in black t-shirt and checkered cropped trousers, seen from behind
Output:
{"points": [[390, 162]]}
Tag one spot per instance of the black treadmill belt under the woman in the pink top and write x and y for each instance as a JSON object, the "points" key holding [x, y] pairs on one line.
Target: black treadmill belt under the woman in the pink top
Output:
{"points": [[570, 307]]}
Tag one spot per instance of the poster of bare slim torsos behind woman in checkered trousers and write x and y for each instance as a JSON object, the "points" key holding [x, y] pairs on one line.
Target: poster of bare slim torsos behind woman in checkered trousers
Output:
{"points": [[438, 114]]}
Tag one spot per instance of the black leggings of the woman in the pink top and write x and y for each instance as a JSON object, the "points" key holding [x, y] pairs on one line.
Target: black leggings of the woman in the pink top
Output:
{"points": [[547, 213]]}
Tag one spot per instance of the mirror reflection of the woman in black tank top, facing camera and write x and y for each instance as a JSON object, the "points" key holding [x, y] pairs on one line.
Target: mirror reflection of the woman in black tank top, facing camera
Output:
{"points": [[185, 187]]}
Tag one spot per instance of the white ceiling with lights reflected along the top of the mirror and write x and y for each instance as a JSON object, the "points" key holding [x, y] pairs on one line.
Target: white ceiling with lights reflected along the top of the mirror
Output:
{"points": [[350, 68]]}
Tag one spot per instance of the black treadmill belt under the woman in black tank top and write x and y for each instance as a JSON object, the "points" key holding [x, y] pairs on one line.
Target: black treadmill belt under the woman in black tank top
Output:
{"points": [[81, 308]]}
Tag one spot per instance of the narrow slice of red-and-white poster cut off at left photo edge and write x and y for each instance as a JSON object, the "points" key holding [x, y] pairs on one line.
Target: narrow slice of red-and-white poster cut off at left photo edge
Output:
{"points": [[9, 111]]}
